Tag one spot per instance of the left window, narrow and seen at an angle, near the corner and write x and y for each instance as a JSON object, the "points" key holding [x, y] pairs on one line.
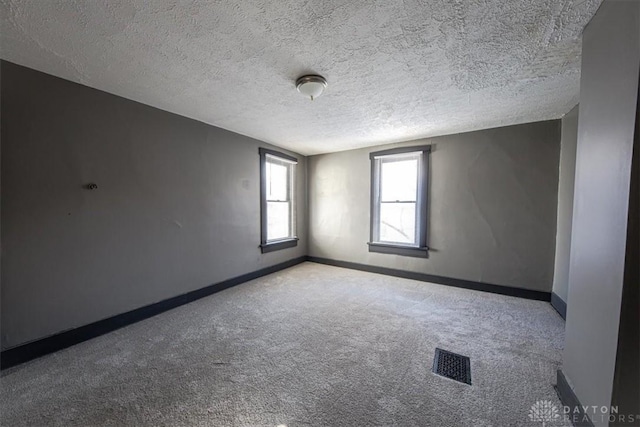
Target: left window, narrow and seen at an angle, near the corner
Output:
{"points": [[277, 197]]}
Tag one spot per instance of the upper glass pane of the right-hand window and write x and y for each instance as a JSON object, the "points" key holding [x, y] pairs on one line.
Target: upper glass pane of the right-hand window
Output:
{"points": [[399, 180]]}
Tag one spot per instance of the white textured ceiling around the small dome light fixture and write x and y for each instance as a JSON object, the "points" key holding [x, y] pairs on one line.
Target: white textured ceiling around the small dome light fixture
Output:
{"points": [[397, 70]]}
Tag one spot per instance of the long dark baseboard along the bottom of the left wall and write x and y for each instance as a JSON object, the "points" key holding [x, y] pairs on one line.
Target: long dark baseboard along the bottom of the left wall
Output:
{"points": [[34, 349]]}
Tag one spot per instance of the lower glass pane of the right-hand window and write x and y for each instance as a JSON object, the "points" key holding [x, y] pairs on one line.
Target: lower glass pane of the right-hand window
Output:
{"points": [[398, 223]]}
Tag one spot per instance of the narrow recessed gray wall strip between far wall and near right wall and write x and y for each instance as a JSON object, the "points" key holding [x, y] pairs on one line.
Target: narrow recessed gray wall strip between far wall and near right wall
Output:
{"points": [[568, 145]]}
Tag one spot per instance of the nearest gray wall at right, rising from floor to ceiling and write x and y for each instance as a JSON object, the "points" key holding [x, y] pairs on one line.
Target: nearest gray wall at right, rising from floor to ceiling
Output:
{"points": [[608, 94]]}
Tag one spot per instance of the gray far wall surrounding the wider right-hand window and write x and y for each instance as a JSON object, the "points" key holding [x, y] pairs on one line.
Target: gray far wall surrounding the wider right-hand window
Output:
{"points": [[492, 210]]}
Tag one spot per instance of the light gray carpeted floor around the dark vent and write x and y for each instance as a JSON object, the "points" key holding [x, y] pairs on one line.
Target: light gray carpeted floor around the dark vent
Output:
{"points": [[310, 346]]}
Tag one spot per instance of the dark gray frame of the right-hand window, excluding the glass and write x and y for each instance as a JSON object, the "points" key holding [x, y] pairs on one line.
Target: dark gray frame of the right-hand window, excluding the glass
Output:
{"points": [[421, 249]]}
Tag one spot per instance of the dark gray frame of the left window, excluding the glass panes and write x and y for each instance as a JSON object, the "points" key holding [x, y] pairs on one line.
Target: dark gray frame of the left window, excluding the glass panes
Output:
{"points": [[267, 246]]}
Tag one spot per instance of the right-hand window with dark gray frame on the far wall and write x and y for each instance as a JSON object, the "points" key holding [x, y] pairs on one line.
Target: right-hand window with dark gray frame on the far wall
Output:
{"points": [[399, 201]]}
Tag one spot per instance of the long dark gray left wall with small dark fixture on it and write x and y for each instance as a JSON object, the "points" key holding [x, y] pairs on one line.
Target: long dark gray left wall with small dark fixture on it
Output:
{"points": [[176, 209]]}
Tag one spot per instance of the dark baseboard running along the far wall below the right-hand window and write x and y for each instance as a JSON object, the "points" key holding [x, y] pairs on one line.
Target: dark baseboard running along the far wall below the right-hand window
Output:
{"points": [[458, 283]]}
